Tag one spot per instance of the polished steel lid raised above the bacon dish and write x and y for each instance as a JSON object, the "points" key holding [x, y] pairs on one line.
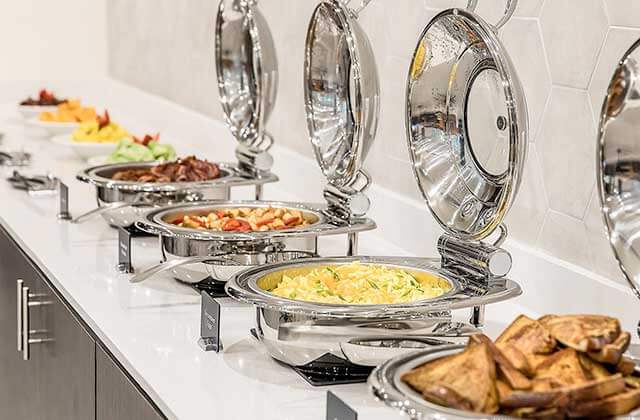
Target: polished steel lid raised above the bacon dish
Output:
{"points": [[247, 71]]}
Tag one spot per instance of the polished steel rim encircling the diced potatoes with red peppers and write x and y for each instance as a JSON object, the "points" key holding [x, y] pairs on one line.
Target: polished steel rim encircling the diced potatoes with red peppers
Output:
{"points": [[155, 222]]}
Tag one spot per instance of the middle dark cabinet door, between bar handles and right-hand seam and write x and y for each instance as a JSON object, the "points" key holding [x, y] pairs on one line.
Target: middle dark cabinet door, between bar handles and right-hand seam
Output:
{"points": [[65, 379]]}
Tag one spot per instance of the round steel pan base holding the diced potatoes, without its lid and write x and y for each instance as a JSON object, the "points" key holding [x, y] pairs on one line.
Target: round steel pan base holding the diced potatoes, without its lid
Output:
{"points": [[222, 254]]}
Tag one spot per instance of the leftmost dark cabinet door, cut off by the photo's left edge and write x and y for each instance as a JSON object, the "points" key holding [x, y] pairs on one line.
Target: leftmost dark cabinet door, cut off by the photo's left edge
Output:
{"points": [[17, 377]]}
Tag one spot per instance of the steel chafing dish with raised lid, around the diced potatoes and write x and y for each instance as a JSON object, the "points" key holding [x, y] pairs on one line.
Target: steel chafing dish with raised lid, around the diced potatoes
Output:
{"points": [[342, 97]]}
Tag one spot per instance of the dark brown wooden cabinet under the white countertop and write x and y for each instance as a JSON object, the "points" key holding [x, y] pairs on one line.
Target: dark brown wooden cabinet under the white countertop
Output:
{"points": [[67, 375]]}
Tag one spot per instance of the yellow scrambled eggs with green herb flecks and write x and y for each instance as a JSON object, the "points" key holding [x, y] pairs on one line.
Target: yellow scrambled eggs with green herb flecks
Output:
{"points": [[361, 284]]}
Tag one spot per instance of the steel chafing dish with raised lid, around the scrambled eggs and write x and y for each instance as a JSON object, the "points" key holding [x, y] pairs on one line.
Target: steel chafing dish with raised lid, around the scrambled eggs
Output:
{"points": [[467, 133]]}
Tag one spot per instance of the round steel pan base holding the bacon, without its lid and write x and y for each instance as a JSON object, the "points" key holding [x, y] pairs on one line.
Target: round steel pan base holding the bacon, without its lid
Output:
{"points": [[123, 202]]}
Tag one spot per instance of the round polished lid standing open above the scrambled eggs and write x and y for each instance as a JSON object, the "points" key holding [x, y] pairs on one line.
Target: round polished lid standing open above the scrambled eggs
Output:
{"points": [[466, 121]]}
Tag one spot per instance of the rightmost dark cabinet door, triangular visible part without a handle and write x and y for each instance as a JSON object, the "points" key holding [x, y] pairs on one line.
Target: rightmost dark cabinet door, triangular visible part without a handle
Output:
{"points": [[116, 396]]}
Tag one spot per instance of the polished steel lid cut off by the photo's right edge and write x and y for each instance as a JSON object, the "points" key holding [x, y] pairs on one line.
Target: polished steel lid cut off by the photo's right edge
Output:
{"points": [[618, 164]]}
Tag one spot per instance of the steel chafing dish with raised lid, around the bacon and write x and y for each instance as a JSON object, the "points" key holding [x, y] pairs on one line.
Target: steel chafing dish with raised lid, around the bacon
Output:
{"points": [[247, 81]]}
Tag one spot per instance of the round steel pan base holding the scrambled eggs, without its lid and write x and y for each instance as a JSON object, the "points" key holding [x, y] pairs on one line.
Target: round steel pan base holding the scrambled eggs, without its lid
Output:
{"points": [[298, 332]]}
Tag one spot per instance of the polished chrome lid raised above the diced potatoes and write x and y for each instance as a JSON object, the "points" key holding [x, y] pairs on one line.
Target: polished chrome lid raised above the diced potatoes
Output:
{"points": [[341, 91]]}
